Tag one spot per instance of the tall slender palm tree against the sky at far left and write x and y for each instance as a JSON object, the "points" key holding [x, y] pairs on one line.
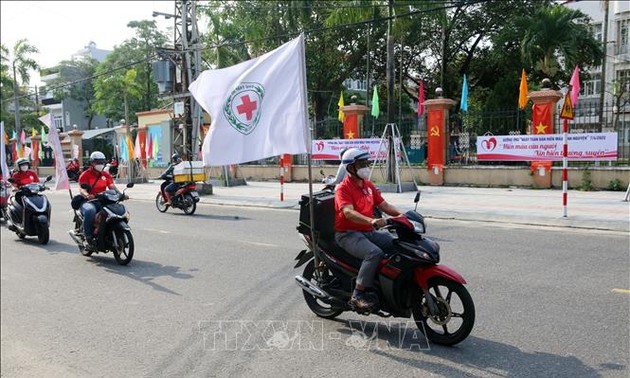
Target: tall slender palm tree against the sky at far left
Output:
{"points": [[21, 63]]}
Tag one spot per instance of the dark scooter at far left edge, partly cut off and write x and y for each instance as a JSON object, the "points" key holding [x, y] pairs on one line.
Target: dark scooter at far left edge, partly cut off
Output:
{"points": [[30, 214]]}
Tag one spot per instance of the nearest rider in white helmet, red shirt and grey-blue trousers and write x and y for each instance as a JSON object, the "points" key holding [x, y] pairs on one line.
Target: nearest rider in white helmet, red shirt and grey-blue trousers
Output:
{"points": [[355, 199]]}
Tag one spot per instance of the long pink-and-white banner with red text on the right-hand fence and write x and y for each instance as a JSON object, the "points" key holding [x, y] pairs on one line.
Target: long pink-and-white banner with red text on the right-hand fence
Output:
{"points": [[547, 147]]}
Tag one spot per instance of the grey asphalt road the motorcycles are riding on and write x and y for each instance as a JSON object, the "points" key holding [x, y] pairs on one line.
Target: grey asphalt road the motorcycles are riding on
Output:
{"points": [[214, 295]]}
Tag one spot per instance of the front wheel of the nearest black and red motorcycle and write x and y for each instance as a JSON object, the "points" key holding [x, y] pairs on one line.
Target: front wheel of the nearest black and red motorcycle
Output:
{"points": [[456, 312]]}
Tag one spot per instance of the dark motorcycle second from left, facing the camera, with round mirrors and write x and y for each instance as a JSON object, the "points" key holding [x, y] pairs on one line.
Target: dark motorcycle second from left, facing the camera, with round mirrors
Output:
{"points": [[111, 227]]}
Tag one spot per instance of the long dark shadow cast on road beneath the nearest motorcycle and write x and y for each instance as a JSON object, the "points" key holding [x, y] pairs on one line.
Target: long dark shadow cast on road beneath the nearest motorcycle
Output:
{"points": [[386, 338]]}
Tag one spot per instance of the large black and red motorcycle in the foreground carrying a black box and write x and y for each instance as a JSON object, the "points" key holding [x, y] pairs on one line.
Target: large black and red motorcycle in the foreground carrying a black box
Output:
{"points": [[409, 281]]}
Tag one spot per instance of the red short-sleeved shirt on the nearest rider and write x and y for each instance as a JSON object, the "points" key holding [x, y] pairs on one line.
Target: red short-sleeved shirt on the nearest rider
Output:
{"points": [[363, 199]]}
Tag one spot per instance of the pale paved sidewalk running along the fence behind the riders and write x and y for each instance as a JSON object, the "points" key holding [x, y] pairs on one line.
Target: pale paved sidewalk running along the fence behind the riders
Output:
{"points": [[602, 210]]}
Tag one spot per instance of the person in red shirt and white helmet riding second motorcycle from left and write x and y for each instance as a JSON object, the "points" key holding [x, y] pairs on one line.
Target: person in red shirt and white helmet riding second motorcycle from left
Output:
{"points": [[99, 181]]}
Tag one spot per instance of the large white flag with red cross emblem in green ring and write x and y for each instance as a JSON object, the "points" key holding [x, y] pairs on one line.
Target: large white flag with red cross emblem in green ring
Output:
{"points": [[258, 107]]}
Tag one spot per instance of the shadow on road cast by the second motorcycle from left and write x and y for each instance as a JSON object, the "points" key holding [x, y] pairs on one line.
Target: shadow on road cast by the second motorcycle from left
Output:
{"points": [[141, 271]]}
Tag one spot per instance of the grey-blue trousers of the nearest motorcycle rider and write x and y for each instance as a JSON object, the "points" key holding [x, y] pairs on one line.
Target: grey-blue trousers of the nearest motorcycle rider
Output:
{"points": [[369, 247]]}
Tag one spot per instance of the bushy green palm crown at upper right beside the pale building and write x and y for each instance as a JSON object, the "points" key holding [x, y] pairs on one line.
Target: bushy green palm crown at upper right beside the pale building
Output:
{"points": [[558, 33]]}
